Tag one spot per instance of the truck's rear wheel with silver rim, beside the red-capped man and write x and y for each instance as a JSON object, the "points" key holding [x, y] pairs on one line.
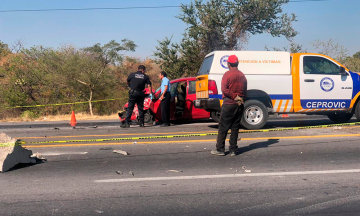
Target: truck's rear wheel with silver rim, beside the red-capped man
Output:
{"points": [[255, 115]]}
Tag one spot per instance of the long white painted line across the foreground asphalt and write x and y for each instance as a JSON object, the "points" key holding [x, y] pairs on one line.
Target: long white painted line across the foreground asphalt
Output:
{"points": [[228, 176]]}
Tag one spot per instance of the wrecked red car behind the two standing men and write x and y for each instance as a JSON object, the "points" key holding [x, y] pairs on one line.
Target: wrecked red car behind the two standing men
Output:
{"points": [[183, 94]]}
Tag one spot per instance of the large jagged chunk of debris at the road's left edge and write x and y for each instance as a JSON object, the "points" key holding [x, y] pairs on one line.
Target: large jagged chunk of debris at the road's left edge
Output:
{"points": [[12, 153]]}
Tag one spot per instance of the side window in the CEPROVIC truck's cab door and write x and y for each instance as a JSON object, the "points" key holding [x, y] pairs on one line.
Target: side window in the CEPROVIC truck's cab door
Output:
{"points": [[319, 65]]}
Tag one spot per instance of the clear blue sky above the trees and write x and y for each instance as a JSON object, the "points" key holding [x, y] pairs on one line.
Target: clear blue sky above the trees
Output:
{"points": [[317, 20]]}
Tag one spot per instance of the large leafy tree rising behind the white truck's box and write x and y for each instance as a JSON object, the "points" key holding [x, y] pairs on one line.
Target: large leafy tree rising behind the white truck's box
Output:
{"points": [[222, 25]]}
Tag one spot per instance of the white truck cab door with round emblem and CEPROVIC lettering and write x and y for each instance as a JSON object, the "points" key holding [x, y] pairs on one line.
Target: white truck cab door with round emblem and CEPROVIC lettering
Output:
{"points": [[322, 87]]}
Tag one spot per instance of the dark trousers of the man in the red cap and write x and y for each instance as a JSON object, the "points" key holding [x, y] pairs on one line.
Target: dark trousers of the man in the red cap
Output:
{"points": [[229, 119]]}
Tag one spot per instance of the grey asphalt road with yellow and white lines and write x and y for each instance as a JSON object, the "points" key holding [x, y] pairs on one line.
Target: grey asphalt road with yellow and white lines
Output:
{"points": [[300, 172]]}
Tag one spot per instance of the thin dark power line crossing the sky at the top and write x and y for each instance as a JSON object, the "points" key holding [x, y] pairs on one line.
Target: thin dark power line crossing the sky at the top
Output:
{"points": [[117, 8]]}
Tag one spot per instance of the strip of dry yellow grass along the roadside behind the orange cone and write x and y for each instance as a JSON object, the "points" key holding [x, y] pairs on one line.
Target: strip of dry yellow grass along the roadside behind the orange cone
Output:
{"points": [[78, 116]]}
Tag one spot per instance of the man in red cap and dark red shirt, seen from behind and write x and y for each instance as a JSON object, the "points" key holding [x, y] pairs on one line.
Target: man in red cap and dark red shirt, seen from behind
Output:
{"points": [[234, 88]]}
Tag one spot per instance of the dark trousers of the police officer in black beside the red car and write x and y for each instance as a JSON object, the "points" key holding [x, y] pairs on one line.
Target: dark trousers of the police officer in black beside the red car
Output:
{"points": [[135, 97]]}
